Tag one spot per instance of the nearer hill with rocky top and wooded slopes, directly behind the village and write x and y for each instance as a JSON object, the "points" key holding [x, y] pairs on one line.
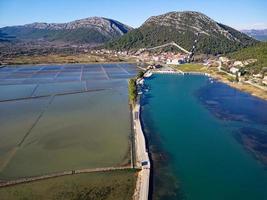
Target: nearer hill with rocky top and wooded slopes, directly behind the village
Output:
{"points": [[182, 27]]}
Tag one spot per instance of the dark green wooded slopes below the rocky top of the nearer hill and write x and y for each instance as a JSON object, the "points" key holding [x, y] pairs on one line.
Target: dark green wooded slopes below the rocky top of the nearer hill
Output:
{"points": [[154, 35]]}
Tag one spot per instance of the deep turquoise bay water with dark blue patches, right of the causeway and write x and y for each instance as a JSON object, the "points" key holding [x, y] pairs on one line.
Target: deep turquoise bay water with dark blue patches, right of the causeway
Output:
{"points": [[193, 138]]}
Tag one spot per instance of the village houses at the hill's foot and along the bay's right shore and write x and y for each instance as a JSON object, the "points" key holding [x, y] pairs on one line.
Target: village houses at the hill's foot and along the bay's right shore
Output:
{"points": [[236, 68]]}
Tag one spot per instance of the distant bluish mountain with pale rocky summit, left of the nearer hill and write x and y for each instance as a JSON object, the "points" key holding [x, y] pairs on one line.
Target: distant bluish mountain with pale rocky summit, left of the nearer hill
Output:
{"points": [[95, 30]]}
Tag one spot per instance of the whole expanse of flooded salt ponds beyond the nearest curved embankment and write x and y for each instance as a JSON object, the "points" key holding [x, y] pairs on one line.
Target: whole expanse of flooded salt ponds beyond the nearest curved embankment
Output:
{"points": [[61, 129]]}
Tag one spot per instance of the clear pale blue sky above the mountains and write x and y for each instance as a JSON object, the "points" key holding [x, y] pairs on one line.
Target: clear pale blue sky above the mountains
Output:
{"points": [[240, 14]]}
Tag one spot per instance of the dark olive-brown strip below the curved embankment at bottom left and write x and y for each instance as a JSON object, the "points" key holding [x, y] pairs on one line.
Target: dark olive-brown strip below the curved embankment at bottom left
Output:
{"points": [[116, 185]]}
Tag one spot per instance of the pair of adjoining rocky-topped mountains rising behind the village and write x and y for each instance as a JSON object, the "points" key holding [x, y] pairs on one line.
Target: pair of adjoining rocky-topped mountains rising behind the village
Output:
{"points": [[180, 27]]}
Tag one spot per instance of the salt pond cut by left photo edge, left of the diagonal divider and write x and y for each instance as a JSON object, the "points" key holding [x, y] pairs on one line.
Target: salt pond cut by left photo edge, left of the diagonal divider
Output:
{"points": [[16, 119]]}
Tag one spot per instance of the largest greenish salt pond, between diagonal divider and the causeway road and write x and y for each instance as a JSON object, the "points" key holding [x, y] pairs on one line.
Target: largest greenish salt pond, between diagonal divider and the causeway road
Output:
{"points": [[76, 131]]}
